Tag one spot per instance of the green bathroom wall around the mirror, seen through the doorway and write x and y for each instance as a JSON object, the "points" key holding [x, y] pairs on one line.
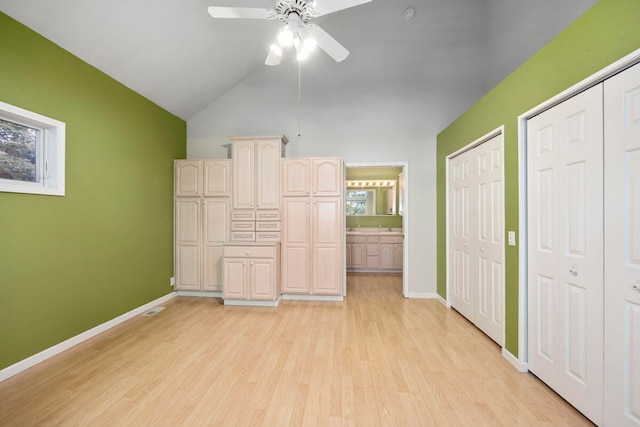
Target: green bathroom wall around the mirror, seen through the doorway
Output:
{"points": [[361, 173]]}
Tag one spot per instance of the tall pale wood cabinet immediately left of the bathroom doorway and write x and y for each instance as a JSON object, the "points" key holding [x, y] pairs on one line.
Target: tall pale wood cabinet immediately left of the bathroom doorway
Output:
{"points": [[312, 227]]}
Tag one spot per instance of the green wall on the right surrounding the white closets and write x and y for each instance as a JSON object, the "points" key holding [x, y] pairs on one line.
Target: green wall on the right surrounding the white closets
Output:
{"points": [[604, 34]]}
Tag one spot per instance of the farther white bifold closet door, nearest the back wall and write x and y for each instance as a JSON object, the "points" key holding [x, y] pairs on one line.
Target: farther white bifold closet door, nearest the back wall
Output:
{"points": [[476, 237]]}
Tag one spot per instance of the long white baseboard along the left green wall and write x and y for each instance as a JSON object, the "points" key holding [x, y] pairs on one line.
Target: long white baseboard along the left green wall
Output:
{"points": [[31, 361]]}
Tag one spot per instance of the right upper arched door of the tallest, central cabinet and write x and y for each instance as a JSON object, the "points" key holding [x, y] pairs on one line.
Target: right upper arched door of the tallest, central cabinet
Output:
{"points": [[268, 153]]}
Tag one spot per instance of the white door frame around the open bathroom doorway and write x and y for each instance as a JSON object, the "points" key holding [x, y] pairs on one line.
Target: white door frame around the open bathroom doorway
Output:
{"points": [[405, 215]]}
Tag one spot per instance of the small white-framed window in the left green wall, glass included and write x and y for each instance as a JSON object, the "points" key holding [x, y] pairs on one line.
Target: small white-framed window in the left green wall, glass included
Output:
{"points": [[31, 152]]}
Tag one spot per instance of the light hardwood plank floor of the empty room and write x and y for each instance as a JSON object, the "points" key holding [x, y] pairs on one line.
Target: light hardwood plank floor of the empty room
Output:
{"points": [[374, 359]]}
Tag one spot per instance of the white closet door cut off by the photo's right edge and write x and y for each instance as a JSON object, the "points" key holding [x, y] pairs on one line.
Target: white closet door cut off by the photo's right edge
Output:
{"points": [[622, 248]]}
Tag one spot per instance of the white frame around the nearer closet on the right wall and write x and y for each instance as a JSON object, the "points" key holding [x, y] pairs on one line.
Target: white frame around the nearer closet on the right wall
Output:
{"points": [[521, 362]]}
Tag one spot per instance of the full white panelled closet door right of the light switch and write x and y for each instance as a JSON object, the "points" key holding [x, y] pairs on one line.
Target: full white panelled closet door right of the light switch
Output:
{"points": [[565, 249]]}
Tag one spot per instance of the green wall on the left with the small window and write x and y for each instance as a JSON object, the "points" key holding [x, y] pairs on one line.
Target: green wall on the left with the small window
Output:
{"points": [[70, 263]]}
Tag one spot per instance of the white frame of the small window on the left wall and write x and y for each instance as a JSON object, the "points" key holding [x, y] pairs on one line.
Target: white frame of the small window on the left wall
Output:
{"points": [[51, 165]]}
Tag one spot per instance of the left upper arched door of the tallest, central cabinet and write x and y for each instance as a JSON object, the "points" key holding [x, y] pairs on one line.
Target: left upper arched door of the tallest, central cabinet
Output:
{"points": [[243, 180]]}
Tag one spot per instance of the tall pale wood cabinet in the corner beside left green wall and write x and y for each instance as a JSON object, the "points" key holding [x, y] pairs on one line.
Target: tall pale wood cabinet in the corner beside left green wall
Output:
{"points": [[201, 203]]}
